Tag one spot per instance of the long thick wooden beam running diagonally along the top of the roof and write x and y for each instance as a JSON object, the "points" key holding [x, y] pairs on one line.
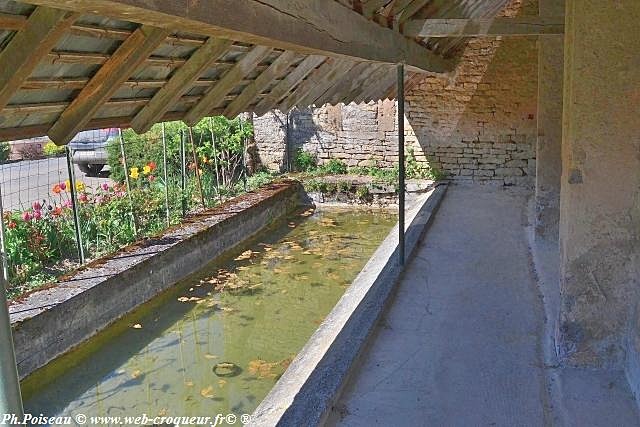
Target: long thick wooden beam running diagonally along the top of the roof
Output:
{"points": [[318, 27]]}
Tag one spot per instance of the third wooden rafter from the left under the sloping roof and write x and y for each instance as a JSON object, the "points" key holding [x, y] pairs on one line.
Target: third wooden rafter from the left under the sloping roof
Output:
{"points": [[181, 81]]}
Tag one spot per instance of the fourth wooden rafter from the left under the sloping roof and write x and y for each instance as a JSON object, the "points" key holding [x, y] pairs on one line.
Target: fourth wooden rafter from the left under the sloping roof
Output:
{"points": [[212, 98]]}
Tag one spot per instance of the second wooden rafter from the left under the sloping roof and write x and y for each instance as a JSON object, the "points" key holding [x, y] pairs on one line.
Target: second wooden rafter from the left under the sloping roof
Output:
{"points": [[120, 66]]}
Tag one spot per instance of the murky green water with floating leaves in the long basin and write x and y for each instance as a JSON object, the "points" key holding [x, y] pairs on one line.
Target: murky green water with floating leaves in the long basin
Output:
{"points": [[244, 318]]}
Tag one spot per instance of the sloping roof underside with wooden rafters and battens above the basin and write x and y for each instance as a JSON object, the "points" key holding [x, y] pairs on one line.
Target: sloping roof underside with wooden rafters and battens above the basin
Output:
{"points": [[93, 71]]}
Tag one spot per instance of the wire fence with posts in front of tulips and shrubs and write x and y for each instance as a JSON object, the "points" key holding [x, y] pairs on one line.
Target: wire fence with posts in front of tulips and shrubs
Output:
{"points": [[103, 193]]}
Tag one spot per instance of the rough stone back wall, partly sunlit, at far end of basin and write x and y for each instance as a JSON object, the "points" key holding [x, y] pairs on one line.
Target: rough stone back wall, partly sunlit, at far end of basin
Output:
{"points": [[478, 124]]}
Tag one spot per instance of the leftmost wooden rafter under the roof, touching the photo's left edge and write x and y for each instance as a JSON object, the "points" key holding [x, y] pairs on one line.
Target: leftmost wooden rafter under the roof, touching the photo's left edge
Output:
{"points": [[42, 31]]}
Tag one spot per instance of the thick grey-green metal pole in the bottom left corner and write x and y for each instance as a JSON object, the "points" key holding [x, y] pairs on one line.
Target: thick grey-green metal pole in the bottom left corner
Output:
{"points": [[10, 398]]}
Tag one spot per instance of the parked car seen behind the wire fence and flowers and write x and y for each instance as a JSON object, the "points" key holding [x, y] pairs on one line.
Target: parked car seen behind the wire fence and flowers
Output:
{"points": [[89, 149]]}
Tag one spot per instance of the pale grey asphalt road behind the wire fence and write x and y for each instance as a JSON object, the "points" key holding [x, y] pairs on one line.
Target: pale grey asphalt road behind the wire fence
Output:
{"points": [[26, 181]]}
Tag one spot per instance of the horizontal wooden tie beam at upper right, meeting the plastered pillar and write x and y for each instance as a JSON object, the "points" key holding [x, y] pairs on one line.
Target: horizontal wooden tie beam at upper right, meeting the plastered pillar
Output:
{"points": [[520, 26]]}
